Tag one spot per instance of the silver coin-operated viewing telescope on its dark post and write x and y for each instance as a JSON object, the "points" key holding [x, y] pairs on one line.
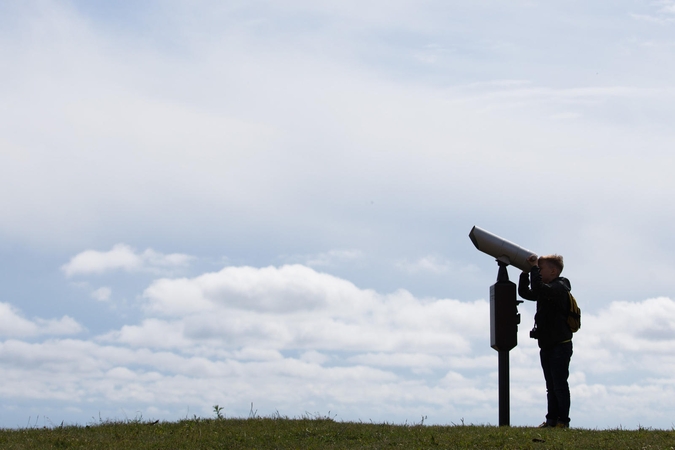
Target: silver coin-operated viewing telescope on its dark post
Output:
{"points": [[504, 316]]}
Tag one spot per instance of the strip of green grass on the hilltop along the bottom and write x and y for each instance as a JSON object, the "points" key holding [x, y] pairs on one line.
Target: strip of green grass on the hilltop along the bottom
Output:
{"points": [[321, 433]]}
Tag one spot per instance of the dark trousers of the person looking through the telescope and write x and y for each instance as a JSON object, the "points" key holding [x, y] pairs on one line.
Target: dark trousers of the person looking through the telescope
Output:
{"points": [[555, 362]]}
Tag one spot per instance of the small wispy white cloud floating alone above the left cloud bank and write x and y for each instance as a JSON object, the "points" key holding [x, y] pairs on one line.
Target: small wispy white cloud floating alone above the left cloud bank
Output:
{"points": [[123, 257]]}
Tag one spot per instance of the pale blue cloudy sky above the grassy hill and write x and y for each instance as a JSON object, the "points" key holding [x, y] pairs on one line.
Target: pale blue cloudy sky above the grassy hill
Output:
{"points": [[265, 206]]}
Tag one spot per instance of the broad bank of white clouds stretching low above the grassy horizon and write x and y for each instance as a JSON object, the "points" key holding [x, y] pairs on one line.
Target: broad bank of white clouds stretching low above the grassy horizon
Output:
{"points": [[292, 339]]}
